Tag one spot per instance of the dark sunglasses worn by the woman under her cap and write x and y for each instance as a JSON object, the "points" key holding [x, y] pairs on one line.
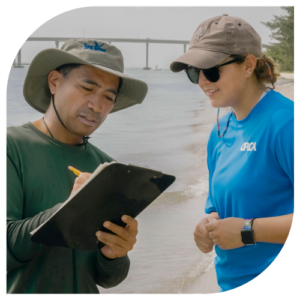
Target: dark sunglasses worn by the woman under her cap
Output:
{"points": [[212, 74]]}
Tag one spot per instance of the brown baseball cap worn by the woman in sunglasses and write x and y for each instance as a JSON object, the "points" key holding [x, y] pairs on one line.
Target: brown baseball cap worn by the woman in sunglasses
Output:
{"points": [[216, 39]]}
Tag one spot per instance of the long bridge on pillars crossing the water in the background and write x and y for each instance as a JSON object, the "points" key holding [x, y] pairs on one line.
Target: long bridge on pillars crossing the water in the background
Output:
{"points": [[58, 40]]}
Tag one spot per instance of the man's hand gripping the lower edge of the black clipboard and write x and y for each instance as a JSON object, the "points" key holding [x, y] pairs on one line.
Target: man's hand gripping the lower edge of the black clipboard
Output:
{"points": [[120, 244]]}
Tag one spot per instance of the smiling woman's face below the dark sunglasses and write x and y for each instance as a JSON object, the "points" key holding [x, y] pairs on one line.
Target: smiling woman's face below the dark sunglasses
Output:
{"points": [[229, 88]]}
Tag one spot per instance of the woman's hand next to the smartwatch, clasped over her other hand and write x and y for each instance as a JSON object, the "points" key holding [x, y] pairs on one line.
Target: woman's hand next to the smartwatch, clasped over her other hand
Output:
{"points": [[226, 233]]}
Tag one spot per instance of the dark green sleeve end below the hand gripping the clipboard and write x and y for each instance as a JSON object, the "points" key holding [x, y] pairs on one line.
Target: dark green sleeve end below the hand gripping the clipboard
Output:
{"points": [[110, 273]]}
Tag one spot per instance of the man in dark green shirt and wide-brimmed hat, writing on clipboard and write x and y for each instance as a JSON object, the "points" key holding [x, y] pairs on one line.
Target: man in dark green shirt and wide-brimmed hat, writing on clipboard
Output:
{"points": [[76, 87]]}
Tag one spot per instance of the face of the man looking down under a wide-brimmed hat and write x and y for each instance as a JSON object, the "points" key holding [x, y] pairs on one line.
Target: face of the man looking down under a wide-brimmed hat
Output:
{"points": [[84, 98]]}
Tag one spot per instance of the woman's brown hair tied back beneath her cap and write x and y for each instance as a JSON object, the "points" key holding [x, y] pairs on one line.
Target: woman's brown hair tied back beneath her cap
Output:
{"points": [[261, 70]]}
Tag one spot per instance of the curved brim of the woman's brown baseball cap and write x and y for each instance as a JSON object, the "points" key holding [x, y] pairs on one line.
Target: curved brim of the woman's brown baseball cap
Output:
{"points": [[198, 58]]}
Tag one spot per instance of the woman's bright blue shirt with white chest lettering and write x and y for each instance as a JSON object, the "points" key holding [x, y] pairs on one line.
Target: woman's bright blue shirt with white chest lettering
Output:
{"points": [[252, 175]]}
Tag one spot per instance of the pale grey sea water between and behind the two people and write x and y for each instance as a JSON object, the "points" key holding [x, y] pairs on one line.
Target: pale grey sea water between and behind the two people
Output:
{"points": [[168, 132]]}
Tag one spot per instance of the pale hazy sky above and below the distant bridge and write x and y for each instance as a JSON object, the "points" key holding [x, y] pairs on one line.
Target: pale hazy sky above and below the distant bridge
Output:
{"points": [[176, 22]]}
